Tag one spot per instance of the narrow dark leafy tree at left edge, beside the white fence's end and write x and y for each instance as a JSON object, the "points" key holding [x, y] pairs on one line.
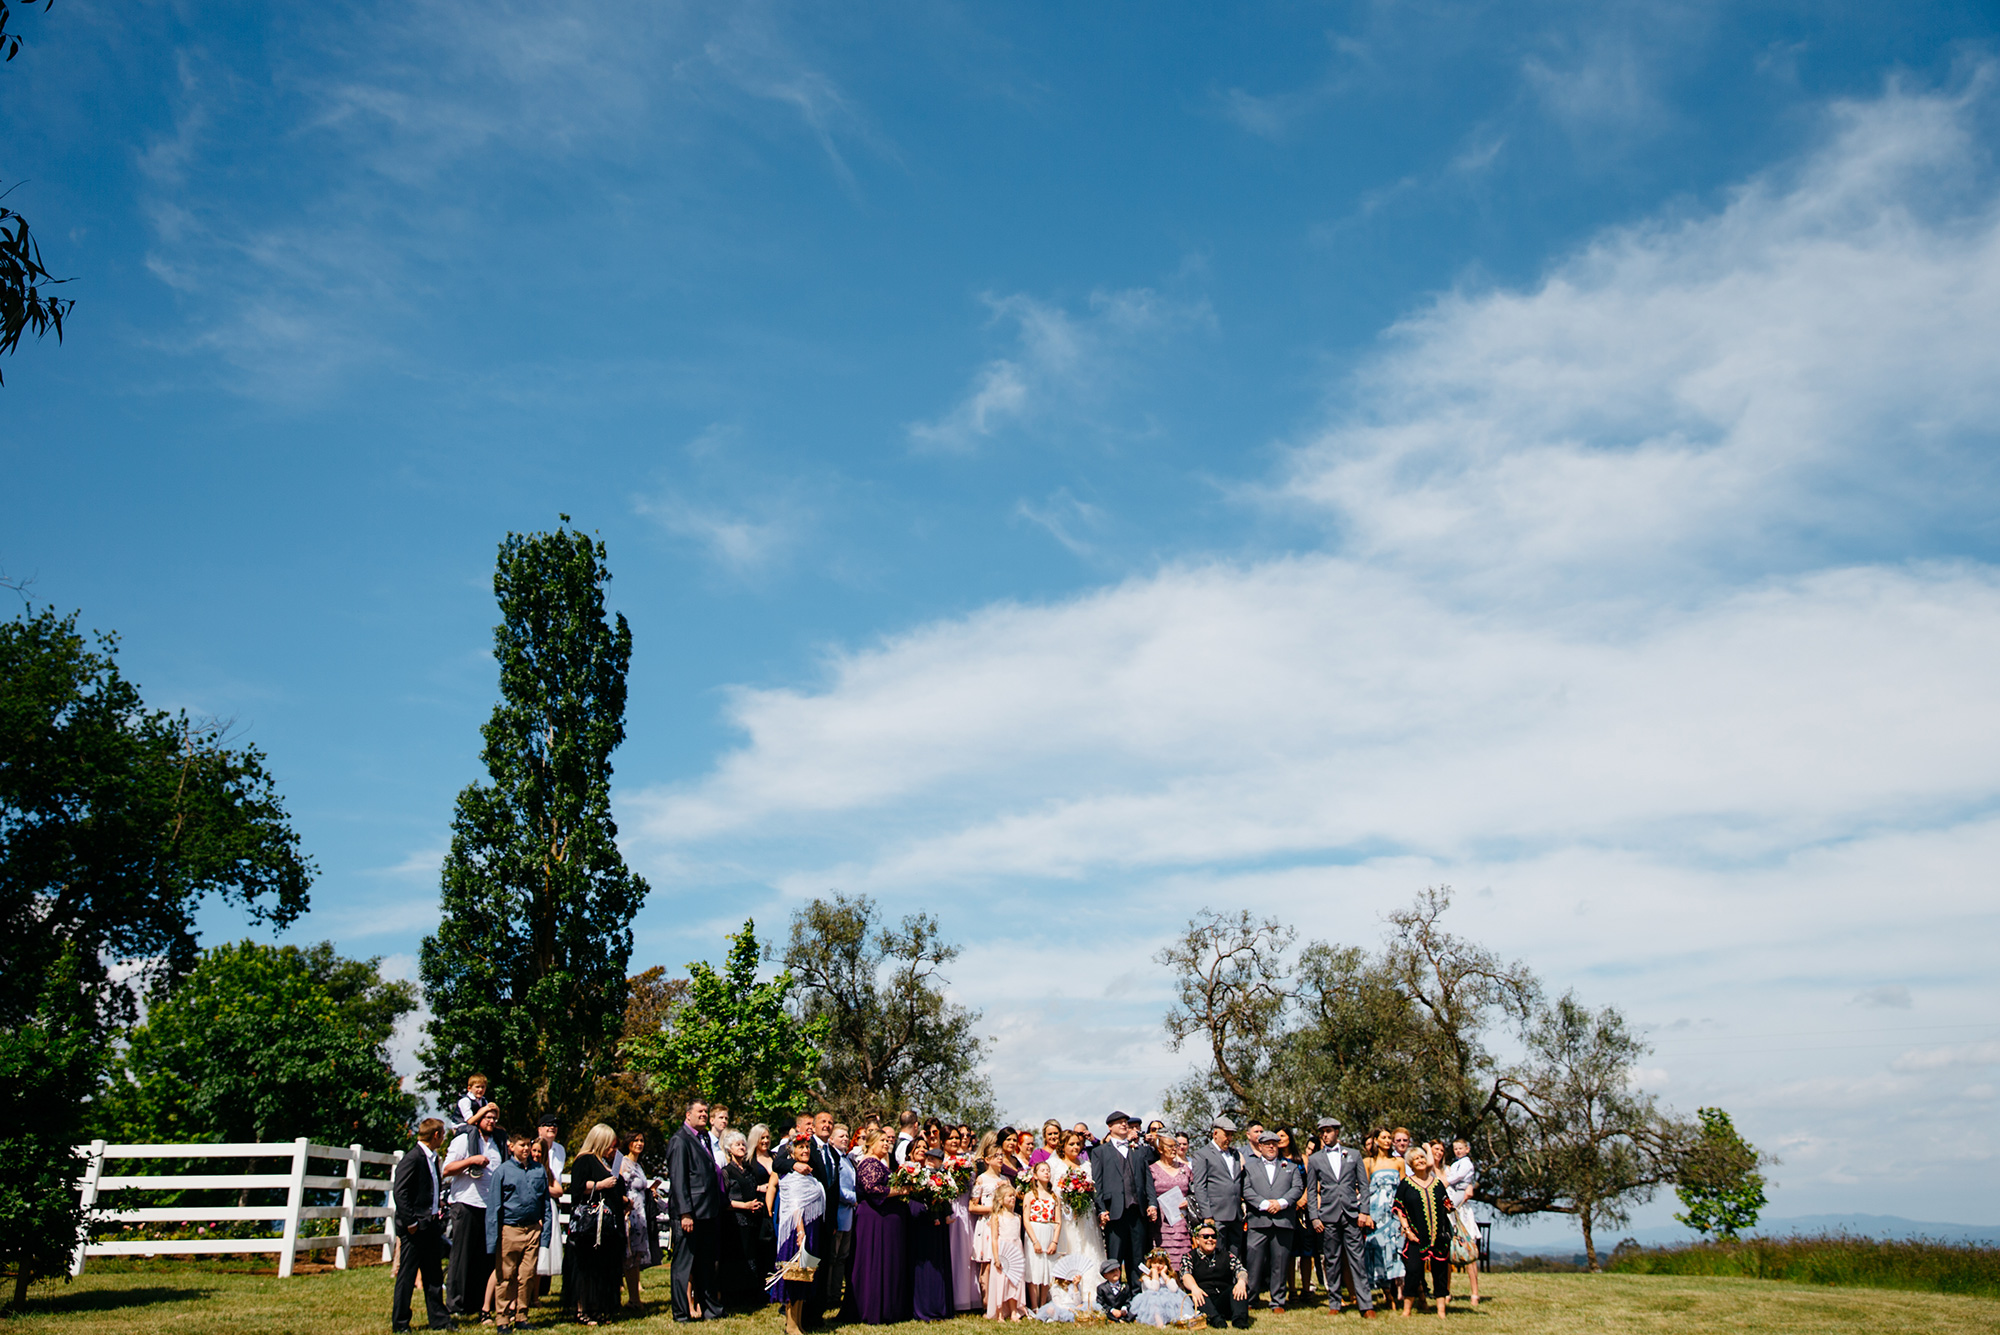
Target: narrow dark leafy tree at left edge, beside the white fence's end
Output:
{"points": [[49, 1066]]}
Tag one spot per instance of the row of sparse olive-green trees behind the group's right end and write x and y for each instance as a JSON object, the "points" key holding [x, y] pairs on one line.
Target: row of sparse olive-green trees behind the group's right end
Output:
{"points": [[1411, 1034]]}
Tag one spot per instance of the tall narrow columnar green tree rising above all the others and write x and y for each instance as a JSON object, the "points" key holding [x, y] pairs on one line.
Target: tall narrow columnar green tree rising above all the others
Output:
{"points": [[527, 974]]}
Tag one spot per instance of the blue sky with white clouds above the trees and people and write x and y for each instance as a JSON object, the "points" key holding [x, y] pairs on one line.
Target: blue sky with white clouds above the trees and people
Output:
{"points": [[1077, 465]]}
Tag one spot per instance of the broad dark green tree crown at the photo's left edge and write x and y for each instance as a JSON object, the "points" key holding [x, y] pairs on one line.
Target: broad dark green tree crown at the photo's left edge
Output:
{"points": [[117, 820]]}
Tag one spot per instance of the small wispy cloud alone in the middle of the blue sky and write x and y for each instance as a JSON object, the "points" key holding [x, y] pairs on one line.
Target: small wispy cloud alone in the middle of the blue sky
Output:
{"points": [[1061, 361]]}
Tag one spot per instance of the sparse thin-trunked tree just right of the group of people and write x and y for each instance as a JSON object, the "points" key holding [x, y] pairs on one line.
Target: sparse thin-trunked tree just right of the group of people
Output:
{"points": [[1593, 1146]]}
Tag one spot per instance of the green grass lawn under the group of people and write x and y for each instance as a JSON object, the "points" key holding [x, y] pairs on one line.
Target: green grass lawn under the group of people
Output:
{"points": [[183, 1300]]}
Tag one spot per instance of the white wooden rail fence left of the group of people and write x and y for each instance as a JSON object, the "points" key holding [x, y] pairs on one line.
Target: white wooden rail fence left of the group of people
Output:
{"points": [[97, 1186]]}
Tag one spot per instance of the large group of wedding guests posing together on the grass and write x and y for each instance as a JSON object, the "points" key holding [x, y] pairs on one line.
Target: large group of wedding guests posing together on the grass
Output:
{"points": [[907, 1218]]}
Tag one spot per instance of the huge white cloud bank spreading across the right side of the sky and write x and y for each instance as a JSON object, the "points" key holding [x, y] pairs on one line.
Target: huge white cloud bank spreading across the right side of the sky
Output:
{"points": [[1653, 615]]}
